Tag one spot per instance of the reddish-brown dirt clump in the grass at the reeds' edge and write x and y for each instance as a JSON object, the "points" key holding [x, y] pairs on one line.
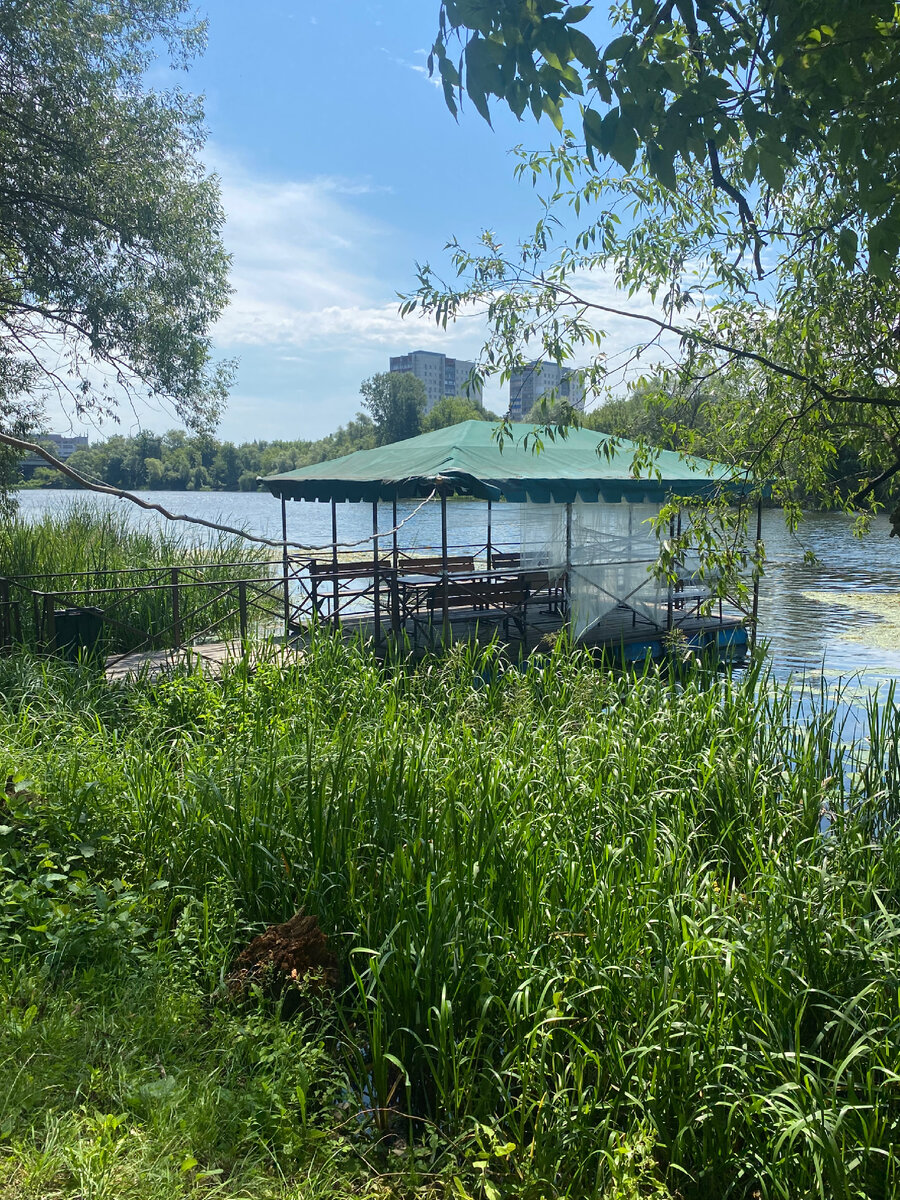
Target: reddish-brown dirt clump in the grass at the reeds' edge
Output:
{"points": [[284, 957]]}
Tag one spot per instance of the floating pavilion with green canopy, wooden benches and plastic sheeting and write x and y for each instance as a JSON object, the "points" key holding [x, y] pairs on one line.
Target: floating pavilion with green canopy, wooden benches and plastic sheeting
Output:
{"points": [[585, 560]]}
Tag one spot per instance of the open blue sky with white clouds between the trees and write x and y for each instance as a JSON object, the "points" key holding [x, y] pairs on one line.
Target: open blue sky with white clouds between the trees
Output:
{"points": [[341, 169]]}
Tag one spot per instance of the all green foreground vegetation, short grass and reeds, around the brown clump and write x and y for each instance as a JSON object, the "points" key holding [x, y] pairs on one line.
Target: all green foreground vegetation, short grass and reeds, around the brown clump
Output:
{"points": [[598, 937]]}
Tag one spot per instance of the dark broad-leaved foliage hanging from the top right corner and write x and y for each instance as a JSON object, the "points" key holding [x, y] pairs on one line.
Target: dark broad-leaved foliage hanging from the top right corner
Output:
{"points": [[683, 81]]}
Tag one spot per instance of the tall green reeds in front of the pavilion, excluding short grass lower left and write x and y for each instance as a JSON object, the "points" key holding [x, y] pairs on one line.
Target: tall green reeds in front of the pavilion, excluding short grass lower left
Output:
{"points": [[577, 913]]}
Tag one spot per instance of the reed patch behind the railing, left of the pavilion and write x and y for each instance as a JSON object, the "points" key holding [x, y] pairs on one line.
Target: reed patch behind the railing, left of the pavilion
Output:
{"points": [[87, 550]]}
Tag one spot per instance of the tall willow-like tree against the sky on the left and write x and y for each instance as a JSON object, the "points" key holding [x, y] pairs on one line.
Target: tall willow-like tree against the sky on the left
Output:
{"points": [[112, 268]]}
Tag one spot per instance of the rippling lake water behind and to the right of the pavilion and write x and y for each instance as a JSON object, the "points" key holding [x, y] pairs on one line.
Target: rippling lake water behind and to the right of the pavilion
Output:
{"points": [[836, 620]]}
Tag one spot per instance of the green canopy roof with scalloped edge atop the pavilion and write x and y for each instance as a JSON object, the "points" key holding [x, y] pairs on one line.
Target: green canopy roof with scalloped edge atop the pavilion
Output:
{"points": [[466, 460]]}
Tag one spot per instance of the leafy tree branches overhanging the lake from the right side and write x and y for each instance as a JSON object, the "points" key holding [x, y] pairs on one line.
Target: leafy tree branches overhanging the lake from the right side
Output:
{"points": [[735, 171]]}
